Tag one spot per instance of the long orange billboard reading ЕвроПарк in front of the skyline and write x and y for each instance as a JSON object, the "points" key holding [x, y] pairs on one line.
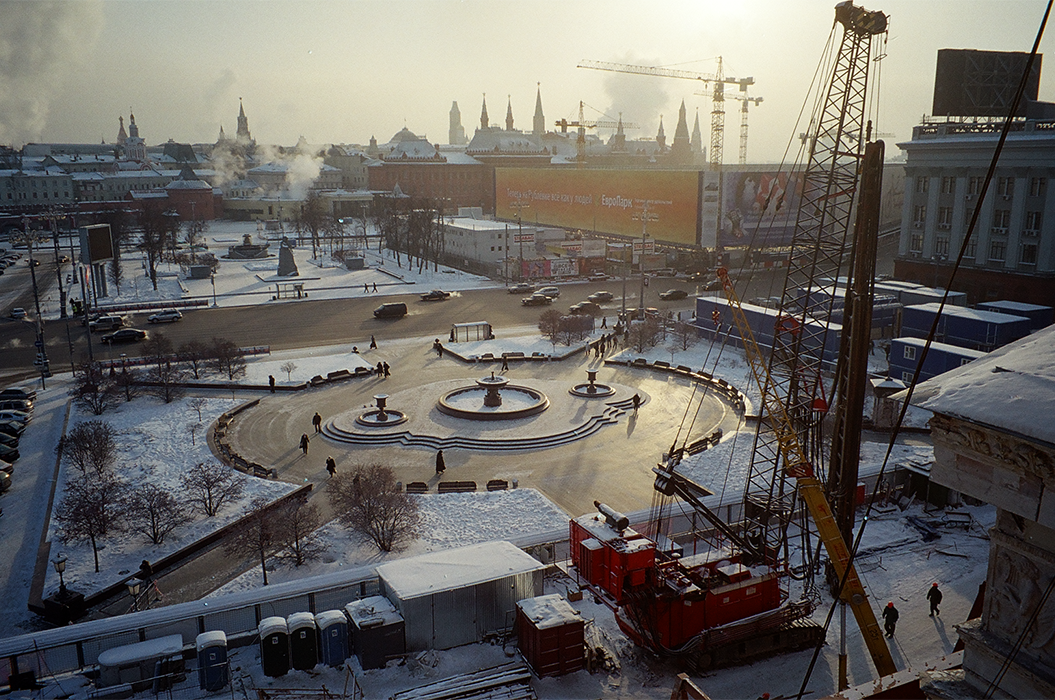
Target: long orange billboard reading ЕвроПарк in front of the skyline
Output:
{"points": [[605, 201]]}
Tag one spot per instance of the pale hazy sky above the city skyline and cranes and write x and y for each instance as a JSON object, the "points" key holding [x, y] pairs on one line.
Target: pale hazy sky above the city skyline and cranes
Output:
{"points": [[343, 71]]}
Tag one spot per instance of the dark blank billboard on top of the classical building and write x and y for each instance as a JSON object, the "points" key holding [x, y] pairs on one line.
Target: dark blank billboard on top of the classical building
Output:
{"points": [[982, 84]]}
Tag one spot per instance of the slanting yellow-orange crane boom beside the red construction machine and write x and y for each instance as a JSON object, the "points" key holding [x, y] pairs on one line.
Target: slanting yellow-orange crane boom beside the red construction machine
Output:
{"points": [[798, 466]]}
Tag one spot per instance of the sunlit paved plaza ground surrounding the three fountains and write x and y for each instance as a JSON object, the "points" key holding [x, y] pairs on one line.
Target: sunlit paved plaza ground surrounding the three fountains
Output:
{"points": [[613, 465]]}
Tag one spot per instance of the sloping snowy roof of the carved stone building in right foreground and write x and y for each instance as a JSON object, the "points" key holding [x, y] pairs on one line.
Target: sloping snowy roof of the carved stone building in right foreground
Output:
{"points": [[1012, 388]]}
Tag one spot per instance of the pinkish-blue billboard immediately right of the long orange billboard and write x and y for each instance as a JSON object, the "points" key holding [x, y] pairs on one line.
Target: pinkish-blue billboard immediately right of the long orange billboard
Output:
{"points": [[759, 208]]}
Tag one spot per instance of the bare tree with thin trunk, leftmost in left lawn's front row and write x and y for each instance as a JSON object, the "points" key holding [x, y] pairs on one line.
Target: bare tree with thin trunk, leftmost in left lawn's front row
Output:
{"points": [[91, 510]]}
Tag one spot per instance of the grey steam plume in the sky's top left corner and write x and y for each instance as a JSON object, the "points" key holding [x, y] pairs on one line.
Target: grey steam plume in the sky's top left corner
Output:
{"points": [[40, 43]]}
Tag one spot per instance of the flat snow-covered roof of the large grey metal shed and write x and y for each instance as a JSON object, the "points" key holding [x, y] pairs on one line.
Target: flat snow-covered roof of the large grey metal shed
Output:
{"points": [[455, 569]]}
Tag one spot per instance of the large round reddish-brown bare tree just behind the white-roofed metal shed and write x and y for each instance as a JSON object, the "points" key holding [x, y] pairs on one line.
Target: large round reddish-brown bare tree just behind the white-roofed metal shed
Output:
{"points": [[369, 501]]}
